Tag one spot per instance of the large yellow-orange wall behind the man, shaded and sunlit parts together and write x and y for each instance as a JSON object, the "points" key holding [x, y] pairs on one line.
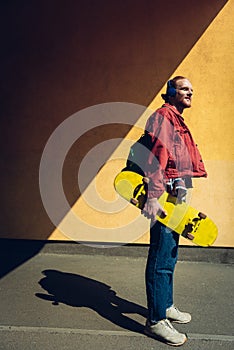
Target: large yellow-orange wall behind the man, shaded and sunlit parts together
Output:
{"points": [[59, 62]]}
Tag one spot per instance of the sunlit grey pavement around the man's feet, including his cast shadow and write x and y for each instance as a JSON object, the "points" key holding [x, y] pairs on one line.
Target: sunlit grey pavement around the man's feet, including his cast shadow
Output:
{"points": [[81, 301]]}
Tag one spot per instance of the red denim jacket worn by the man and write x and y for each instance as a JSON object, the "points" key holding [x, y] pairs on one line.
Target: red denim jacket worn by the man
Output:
{"points": [[174, 153]]}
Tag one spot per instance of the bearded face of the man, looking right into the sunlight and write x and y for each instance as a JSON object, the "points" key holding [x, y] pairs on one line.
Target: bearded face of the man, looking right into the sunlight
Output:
{"points": [[183, 98]]}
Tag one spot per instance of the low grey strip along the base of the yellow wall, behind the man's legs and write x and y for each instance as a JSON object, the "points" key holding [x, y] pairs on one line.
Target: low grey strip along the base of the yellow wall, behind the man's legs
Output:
{"points": [[17, 247]]}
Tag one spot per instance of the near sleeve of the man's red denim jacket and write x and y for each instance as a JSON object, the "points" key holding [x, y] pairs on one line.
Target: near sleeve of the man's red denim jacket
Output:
{"points": [[161, 131]]}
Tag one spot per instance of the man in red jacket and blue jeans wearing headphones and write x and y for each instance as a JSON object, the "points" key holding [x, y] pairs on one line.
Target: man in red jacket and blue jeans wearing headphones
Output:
{"points": [[173, 161]]}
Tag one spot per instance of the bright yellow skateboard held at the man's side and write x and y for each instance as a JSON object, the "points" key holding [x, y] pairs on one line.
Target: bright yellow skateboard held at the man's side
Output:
{"points": [[181, 217]]}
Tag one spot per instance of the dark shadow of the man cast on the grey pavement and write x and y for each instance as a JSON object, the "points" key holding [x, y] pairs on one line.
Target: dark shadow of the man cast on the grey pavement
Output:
{"points": [[79, 291]]}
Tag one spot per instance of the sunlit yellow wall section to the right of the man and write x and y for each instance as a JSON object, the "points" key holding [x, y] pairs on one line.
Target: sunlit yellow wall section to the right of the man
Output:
{"points": [[210, 66]]}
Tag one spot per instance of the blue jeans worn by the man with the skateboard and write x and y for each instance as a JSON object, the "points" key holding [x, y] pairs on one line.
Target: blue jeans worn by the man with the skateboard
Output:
{"points": [[162, 258]]}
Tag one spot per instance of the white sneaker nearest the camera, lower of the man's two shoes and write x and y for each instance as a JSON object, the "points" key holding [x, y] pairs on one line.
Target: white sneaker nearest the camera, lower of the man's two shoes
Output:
{"points": [[164, 331]]}
